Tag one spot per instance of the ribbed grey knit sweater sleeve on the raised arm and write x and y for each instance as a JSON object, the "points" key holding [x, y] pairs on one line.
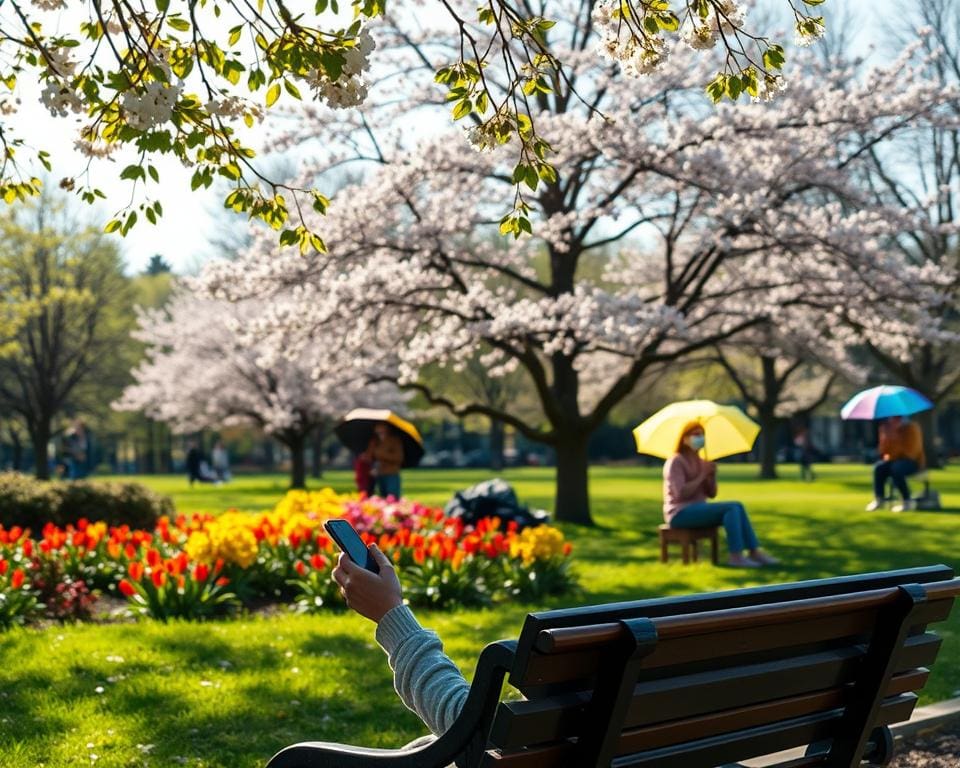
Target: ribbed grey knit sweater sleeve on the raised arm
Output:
{"points": [[425, 678]]}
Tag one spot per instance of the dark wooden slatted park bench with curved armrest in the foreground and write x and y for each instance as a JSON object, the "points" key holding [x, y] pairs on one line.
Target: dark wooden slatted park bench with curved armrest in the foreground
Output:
{"points": [[696, 681]]}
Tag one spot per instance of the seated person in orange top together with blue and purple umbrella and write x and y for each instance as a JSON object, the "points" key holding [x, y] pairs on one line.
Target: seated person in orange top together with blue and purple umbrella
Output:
{"points": [[900, 442]]}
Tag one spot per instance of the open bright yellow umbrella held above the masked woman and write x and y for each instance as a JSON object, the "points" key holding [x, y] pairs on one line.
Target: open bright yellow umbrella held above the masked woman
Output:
{"points": [[728, 430]]}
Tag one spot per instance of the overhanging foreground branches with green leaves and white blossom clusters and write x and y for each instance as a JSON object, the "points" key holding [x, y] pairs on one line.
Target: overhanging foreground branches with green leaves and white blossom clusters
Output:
{"points": [[182, 78]]}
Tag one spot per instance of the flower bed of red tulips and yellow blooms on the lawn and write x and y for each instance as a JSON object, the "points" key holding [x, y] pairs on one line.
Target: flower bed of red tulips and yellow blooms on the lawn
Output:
{"points": [[199, 565]]}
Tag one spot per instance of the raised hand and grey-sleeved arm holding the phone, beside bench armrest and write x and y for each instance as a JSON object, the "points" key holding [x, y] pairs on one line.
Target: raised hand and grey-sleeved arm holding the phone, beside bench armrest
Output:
{"points": [[425, 678]]}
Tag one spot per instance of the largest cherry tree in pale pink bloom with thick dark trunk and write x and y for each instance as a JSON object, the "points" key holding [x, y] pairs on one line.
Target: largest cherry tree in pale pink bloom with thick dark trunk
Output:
{"points": [[717, 220]]}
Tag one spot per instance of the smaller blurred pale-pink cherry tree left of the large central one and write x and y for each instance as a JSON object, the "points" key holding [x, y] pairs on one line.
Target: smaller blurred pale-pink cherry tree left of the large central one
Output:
{"points": [[200, 371]]}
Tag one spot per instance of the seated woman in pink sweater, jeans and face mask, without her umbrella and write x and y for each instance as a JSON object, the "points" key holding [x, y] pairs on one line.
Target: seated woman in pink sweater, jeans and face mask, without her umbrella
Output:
{"points": [[688, 481]]}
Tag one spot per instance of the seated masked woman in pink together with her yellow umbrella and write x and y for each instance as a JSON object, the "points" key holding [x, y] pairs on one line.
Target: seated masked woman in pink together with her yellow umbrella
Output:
{"points": [[688, 434]]}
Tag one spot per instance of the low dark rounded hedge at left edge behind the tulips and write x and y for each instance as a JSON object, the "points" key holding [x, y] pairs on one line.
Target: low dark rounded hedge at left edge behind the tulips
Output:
{"points": [[32, 503]]}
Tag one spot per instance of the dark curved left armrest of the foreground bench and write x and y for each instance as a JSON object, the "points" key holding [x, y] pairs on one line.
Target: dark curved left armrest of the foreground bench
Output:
{"points": [[465, 739]]}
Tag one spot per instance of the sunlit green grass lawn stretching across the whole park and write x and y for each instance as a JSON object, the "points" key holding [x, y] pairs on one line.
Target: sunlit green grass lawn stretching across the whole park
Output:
{"points": [[228, 694]]}
